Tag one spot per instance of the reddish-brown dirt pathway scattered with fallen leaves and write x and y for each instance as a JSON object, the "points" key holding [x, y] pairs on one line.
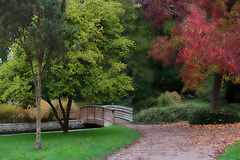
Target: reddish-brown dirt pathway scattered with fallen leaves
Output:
{"points": [[179, 141]]}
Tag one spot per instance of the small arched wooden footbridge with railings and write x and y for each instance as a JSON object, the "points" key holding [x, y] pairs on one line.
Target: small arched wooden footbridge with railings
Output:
{"points": [[103, 115]]}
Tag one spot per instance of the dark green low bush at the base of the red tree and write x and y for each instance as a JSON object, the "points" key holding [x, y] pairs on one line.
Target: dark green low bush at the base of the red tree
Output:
{"points": [[210, 116]]}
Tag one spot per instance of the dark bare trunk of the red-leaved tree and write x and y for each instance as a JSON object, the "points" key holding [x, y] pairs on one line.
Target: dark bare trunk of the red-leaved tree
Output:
{"points": [[216, 91]]}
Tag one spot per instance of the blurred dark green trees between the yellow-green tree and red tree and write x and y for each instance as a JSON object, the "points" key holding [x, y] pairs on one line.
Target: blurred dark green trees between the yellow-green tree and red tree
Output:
{"points": [[149, 77]]}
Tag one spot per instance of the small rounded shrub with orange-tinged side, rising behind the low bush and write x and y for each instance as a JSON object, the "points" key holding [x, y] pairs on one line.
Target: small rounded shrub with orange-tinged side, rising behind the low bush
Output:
{"points": [[168, 98]]}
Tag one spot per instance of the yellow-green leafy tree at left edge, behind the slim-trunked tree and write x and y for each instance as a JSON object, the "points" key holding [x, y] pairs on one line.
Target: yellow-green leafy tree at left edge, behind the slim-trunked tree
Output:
{"points": [[16, 83]]}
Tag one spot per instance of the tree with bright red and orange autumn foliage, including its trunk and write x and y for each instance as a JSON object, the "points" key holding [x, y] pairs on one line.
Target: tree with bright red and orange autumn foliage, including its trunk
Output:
{"points": [[206, 39]]}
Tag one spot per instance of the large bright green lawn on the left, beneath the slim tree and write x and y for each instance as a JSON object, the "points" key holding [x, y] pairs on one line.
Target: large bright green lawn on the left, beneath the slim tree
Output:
{"points": [[76, 145]]}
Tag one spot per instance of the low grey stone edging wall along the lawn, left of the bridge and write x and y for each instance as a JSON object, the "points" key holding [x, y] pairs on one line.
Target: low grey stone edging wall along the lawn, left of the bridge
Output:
{"points": [[12, 128]]}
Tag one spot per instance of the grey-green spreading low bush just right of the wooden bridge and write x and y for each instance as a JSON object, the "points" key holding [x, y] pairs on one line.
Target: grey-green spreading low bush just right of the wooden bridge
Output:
{"points": [[170, 114]]}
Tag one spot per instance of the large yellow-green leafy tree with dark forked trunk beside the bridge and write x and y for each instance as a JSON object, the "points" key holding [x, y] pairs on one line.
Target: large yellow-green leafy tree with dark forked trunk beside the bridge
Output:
{"points": [[93, 69]]}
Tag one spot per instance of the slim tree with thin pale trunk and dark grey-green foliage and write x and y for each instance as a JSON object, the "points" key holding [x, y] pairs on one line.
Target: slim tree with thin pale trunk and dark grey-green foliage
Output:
{"points": [[37, 26]]}
